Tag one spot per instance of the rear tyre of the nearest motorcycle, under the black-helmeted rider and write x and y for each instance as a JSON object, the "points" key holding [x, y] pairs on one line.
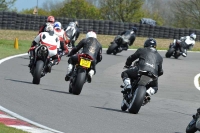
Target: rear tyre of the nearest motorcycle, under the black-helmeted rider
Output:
{"points": [[137, 100]]}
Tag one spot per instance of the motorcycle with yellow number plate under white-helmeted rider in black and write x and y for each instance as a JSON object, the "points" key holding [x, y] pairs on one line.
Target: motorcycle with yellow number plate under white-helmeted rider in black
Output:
{"points": [[80, 73]]}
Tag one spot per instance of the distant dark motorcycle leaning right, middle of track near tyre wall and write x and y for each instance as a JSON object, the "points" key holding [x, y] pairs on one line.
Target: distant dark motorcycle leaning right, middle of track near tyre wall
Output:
{"points": [[119, 43]]}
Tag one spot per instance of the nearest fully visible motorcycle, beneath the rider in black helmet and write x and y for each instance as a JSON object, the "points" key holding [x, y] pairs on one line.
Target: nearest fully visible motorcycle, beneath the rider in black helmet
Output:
{"points": [[137, 96]]}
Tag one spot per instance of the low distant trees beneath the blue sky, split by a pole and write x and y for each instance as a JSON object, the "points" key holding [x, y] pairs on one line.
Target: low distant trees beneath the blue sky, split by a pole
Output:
{"points": [[41, 12]]}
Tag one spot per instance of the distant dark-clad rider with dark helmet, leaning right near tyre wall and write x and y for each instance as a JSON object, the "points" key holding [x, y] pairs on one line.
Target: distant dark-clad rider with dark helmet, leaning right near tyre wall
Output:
{"points": [[133, 32]]}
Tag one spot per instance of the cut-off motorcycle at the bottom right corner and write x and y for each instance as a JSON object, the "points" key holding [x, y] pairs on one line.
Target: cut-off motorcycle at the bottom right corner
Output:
{"points": [[194, 125]]}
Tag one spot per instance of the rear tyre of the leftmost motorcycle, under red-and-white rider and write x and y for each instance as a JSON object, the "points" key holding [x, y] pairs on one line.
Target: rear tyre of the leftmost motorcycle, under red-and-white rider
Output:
{"points": [[37, 72]]}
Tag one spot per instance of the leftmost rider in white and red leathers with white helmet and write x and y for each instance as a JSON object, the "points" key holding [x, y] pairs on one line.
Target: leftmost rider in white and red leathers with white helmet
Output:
{"points": [[45, 38]]}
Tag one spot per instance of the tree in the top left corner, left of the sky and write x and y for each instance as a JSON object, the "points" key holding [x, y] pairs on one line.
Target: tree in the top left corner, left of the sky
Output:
{"points": [[6, 4]]}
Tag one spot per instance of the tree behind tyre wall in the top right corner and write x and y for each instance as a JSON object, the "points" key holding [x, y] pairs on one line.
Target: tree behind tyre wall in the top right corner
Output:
{"points": [[187, 14]]}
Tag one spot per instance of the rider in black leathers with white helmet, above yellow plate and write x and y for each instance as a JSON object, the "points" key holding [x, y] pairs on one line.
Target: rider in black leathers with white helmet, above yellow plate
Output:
{"points": [[90, 46]]}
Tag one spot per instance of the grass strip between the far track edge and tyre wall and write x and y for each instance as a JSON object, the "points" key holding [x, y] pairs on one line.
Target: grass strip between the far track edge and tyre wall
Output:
{"points": [[25, 38]]}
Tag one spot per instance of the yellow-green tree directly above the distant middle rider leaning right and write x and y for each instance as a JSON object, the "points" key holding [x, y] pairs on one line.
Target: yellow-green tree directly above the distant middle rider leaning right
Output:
{"points": [[122, 10]]}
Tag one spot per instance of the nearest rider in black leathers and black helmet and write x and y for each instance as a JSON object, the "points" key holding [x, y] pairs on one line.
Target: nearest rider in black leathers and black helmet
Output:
{"points": [[149, 60]]}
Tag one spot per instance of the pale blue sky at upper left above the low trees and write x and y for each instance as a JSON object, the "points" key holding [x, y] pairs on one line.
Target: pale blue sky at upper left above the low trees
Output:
{"points": [[26, 4]]}
